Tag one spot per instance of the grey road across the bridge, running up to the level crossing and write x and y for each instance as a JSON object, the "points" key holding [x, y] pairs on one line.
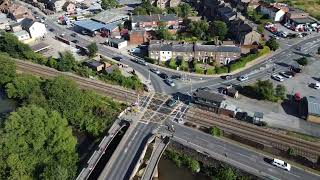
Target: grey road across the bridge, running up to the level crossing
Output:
{"points": [[123, 165]]}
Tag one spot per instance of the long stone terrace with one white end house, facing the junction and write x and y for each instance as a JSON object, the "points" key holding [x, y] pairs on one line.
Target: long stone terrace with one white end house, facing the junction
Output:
{"points": [[166, 50]]}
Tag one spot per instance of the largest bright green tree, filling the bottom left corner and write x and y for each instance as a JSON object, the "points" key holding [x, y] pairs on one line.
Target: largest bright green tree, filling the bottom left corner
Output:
{"points": [[37, 144]]}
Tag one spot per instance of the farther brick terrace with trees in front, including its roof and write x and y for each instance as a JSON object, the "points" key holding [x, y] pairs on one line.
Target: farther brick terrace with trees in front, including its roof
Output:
{"points": [[152, 22]]}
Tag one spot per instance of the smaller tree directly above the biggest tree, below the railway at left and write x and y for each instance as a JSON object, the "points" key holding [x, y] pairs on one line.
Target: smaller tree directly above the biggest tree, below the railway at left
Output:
{"points": [[22, 86]]}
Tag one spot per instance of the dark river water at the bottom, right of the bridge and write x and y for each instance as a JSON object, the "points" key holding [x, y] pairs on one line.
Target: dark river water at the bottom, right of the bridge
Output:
{"points": [[169, 171]]}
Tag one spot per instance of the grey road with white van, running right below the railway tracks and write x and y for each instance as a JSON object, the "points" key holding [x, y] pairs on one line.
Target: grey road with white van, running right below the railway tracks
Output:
{"points": [[237, 156]]}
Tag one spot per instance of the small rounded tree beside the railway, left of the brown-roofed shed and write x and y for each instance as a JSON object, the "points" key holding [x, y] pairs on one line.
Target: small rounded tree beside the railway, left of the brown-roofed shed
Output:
{"points": [[66, 62]]}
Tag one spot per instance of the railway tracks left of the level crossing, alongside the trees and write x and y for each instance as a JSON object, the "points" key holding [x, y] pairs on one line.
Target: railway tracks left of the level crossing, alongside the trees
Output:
{"points": [[115, 92]]}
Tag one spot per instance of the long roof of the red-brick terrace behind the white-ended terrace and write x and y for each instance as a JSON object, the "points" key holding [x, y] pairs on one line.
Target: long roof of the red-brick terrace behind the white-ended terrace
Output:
{"points": [[156, 17]]}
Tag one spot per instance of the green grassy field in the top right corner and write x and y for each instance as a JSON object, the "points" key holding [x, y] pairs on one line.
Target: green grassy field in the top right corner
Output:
{"points": [[310, 6]]}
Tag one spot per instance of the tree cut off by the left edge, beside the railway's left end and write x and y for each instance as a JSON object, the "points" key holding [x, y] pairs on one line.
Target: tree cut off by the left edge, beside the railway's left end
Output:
{"points": [[7, 69]]}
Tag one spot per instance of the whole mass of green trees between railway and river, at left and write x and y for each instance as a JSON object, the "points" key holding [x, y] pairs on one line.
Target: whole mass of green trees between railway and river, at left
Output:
{"points": [[36, 141]]}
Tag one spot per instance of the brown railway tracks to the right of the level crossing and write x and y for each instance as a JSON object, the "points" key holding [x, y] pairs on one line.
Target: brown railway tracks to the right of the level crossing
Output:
{"points": [[257, 134]]}
